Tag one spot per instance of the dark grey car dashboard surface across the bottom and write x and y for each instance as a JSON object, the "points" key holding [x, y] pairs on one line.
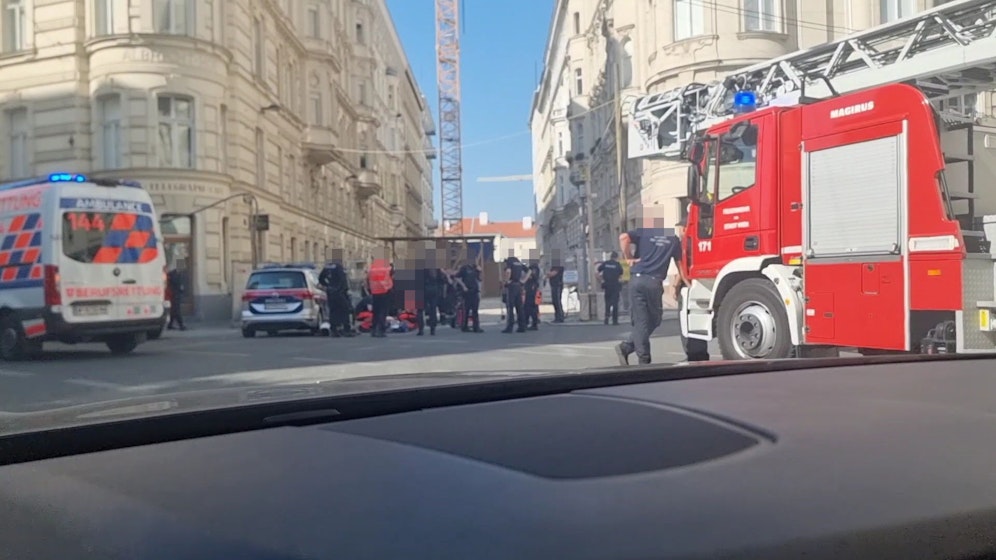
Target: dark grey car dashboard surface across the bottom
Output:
{"points": [[875, 461]]}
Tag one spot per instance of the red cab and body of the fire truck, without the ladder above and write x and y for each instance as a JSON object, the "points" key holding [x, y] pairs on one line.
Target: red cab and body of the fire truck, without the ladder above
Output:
{"points": [[829, 225]]}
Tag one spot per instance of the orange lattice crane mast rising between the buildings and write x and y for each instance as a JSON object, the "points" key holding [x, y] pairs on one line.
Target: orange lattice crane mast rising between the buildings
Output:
{"points": [[448, 85]]}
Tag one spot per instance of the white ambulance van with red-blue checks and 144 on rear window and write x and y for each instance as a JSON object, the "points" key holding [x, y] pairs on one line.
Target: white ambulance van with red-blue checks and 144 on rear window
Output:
{"points": [[80, 261]]}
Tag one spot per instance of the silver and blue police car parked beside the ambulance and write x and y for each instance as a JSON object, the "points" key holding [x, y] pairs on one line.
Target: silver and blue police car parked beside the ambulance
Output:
{"points": [[283, 297]]}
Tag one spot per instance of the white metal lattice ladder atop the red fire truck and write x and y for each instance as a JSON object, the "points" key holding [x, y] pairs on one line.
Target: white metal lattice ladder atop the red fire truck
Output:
{"points": [[948, 51]]}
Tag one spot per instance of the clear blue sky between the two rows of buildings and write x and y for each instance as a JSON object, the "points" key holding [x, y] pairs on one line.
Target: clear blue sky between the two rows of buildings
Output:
{"points": [[502, 45]]}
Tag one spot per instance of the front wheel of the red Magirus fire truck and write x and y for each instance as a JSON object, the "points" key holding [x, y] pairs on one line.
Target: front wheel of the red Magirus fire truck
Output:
{"points": [[752, 323]]}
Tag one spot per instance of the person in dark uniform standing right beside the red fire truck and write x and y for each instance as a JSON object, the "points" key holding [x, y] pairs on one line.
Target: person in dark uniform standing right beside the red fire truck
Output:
{"points": [[650, 251]]}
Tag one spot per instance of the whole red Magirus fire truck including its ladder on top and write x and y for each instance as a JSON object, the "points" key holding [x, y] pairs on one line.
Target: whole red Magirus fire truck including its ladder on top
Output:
{"points": [[827, 208]]}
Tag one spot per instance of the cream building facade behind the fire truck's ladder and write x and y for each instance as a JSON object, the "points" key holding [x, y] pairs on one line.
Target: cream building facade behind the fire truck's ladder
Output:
{"points": [[603, 54]]}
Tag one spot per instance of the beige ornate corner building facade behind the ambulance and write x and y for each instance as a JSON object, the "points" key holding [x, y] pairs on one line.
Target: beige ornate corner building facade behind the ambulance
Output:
{"points": [[304, 112]]}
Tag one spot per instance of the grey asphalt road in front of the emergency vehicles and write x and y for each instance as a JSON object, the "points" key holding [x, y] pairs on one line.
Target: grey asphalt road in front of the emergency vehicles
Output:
{"points": [[218, 357]]}
